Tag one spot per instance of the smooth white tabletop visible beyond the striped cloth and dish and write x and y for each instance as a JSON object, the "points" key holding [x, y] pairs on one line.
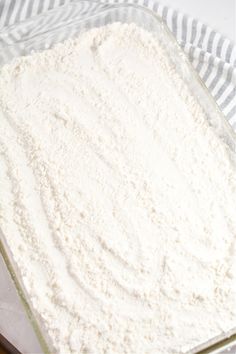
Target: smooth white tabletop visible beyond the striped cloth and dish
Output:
{"points": [[221, 16]]}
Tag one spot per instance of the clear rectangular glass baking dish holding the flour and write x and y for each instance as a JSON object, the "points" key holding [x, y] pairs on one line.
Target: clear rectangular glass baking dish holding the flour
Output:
{"points": [[56, 25]]}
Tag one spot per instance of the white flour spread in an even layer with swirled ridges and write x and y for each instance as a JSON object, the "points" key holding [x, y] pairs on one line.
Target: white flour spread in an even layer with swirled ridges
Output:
{"points": [[117, 199]]}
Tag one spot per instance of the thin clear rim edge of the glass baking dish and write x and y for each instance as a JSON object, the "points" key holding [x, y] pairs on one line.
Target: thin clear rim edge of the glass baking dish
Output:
{"points": [[211, 345]]}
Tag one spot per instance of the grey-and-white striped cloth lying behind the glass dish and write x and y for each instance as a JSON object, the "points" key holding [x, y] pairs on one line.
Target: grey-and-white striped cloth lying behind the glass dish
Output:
{"points": [[213, 56]]}
